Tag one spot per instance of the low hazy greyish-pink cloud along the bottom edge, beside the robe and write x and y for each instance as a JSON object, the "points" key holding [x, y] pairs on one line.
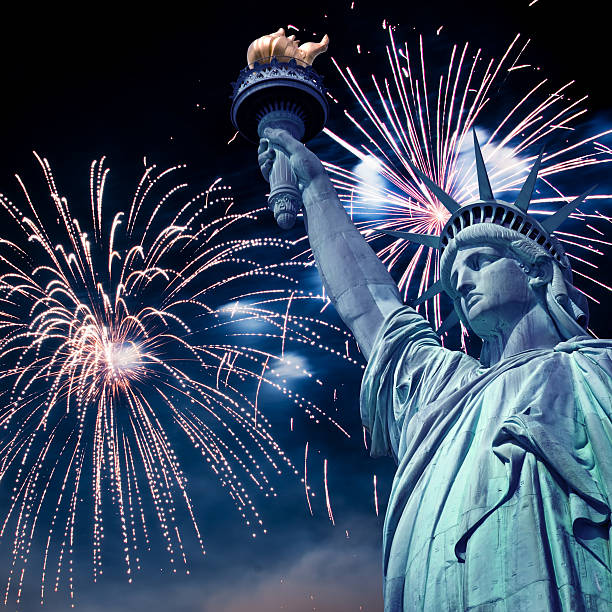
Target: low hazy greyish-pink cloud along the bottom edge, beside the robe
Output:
{"points": [[336, 576]]}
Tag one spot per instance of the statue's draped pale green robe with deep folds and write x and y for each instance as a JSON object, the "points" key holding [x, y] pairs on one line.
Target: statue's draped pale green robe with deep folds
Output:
{"points": [[501, 500]]}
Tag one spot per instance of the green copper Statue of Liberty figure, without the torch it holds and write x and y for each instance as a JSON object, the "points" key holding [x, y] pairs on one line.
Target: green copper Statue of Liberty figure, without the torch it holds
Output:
{"points": [[501, 499]]}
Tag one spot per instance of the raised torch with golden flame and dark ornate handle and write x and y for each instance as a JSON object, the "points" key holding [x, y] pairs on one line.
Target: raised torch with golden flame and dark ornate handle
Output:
{"points": [[280, 89]]}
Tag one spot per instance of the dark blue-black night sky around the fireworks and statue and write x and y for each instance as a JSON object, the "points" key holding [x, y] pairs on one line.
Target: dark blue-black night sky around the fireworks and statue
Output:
{"points": [[130, 82]]}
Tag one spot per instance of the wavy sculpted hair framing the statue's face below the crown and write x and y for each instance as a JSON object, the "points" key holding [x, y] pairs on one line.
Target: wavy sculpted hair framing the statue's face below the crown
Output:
{"points": [[566, 305]]}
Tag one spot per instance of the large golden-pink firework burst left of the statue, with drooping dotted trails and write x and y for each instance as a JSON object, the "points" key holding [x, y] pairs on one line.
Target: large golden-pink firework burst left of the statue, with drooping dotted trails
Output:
{"points": [[124, 337]]}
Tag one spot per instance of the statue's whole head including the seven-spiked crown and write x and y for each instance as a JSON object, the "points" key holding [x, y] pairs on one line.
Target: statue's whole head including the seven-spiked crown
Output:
{"points": [[498, 262]]}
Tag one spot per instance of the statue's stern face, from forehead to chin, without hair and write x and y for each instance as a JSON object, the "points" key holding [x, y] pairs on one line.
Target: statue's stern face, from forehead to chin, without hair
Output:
{"points": [[493, 289]]}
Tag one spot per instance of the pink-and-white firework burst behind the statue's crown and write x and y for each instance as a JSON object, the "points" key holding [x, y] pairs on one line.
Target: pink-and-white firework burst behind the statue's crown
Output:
{"points": [[409, 118]]}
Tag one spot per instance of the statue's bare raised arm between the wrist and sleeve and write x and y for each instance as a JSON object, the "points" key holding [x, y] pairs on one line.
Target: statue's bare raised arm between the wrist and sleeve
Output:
{"points": [[356, 281]]}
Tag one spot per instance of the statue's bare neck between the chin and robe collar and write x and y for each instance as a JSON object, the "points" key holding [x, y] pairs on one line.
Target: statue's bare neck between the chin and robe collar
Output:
{"points": [[533, 330]]}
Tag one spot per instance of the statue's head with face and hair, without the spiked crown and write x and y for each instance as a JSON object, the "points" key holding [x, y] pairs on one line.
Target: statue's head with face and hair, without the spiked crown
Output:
{"points": [[496, 275]]}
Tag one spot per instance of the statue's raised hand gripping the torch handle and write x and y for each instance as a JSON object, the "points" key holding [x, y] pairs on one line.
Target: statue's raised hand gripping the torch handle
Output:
{"points": [[304, 163]]}
